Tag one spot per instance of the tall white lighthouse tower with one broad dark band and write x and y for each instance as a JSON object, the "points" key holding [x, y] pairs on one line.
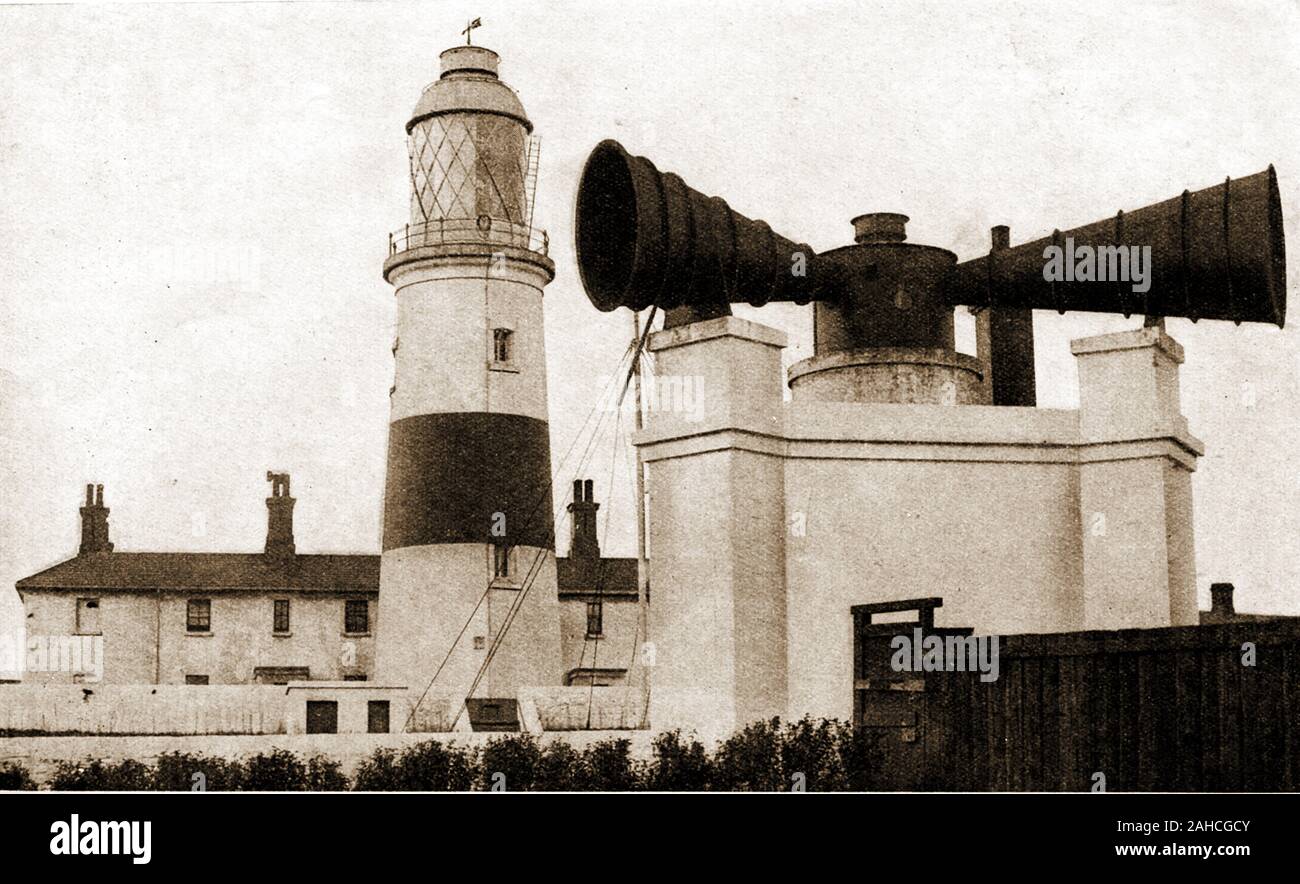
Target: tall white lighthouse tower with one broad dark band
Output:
{"points": [[467, 582]]}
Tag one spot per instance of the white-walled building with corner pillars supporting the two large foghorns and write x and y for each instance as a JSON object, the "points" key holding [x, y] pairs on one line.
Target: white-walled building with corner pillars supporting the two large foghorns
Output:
{"points": [[769, 521]]}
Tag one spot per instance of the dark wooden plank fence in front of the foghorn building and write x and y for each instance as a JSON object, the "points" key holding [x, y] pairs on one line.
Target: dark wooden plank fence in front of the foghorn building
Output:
{"points": [[1198, 709]]}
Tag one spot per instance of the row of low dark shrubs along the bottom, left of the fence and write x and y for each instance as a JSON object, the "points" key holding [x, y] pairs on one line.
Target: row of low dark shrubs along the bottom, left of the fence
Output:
{"points": [[816, 756]]}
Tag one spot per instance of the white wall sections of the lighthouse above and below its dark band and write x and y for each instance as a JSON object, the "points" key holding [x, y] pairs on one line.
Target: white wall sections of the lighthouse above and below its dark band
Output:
{"points": [[449, 302]]}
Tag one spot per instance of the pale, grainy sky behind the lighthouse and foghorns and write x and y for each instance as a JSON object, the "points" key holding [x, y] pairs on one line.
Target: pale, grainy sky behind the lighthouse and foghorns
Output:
{"points": [[197, 203]]}
